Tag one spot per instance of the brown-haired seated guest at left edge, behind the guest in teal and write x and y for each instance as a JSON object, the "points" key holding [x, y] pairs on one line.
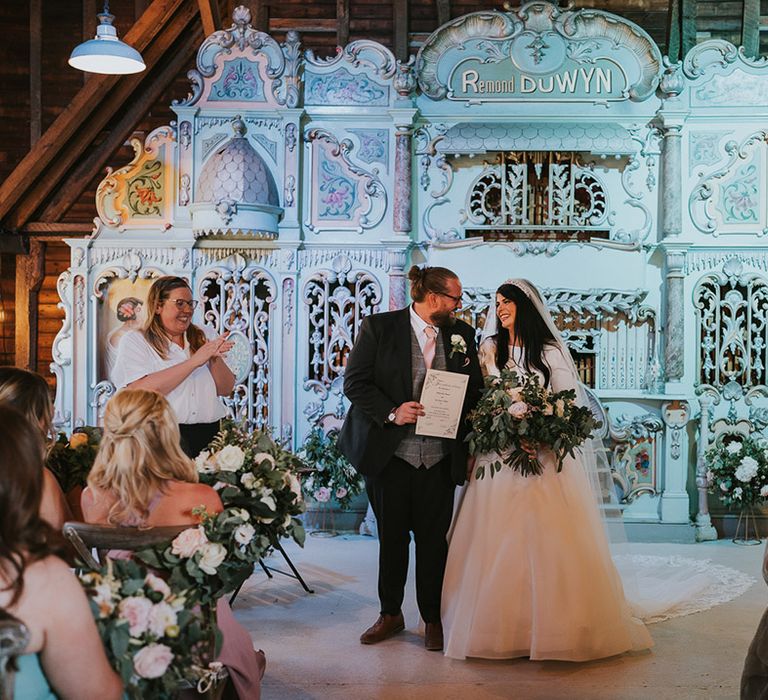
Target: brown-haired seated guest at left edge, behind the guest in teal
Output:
{"points": [[28, 393]]}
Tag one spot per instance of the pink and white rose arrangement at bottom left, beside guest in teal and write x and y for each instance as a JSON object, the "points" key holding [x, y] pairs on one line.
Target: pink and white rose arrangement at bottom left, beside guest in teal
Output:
{"points": [[153, 637]]}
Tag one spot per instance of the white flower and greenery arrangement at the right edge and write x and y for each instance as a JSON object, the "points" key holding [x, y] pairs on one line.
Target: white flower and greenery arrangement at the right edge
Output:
{"points": [[738, 471]]}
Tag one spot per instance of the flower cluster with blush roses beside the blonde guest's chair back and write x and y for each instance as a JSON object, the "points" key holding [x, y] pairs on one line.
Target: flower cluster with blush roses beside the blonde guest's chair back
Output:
{"points": [[211, 559]]}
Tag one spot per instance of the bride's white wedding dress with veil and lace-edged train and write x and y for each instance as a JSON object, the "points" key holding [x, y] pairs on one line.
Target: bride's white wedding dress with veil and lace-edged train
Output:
{"points": [[531, 571]]}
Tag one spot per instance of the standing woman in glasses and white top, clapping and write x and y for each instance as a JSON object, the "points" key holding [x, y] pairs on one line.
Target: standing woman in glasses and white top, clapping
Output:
{"points": [[180, 360]]}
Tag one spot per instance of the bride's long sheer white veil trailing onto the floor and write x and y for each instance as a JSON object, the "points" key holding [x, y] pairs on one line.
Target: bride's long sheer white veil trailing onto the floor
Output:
{"points": [[656, 587]]}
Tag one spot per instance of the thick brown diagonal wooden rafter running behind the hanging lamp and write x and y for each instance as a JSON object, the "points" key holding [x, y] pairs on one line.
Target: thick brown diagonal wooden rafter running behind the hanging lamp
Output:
{"points": [[88, 113]]}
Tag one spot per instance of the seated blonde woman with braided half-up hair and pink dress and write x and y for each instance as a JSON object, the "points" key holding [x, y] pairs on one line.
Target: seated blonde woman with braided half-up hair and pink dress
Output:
{"points": [[142, 478]]}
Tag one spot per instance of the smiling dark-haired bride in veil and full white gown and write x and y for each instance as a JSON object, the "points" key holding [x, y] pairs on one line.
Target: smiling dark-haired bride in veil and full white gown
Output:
{"points": [[529, 571]]}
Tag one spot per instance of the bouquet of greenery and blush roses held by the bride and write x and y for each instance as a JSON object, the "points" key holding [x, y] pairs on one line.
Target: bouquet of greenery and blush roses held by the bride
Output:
{"points": [[516, 418]]}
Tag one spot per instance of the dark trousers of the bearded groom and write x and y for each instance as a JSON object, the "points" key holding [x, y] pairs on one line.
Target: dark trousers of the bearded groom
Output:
{"points": [[404, 500]]}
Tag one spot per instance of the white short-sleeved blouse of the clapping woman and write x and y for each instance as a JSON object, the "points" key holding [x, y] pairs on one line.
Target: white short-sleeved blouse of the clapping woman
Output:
{"points": [[193, 401]]}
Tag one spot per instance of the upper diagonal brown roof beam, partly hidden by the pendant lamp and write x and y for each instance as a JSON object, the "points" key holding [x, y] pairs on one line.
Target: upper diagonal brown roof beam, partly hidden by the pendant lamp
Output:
{"points": [[74, 120]]}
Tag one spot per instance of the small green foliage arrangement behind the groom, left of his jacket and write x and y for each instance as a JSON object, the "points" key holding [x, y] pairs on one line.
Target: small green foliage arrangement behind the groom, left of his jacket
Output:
{"points": [[332, 476]]}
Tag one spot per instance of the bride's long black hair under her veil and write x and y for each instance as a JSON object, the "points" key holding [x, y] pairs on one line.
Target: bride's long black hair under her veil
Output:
{"points": [[530, 331]]}
